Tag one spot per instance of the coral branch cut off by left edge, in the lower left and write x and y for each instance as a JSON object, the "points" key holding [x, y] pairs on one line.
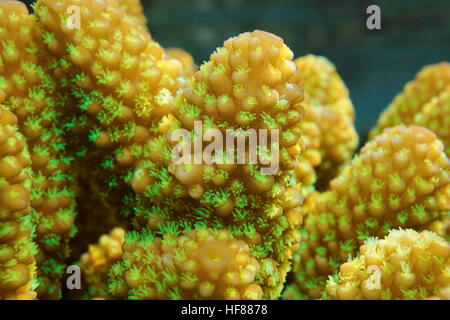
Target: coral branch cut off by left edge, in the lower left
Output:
{"points": [[17, 250]]}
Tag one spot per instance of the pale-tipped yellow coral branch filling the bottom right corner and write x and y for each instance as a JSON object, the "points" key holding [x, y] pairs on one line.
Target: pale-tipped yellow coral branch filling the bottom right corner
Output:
{"points": [[405, 265]]}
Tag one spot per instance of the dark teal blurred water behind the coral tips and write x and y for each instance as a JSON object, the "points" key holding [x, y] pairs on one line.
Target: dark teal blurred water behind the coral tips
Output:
{"points": [[374, 64]]}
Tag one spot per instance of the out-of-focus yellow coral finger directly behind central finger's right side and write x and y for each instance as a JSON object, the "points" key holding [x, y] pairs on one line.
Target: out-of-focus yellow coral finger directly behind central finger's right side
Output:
{"points": [[335, 115]]}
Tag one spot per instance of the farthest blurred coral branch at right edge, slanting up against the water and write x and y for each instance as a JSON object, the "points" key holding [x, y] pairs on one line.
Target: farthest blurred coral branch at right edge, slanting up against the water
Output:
{"points": [[428, 83]]}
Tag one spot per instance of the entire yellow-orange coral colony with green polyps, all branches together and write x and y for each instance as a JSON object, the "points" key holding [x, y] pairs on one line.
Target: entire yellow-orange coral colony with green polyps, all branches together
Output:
{"points": [[93, 120]]}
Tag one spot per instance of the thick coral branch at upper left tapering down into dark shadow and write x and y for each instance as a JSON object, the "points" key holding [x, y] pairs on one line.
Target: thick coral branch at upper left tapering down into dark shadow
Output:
{"points": [[116, 129]]}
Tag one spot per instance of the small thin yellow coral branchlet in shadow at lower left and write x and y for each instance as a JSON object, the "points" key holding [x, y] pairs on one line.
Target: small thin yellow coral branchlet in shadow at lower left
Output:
{"points": [[96, 262]]}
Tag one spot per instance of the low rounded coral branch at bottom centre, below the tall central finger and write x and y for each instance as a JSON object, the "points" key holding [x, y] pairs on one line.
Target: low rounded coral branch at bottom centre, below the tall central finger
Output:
{"points": [[199, 264]]}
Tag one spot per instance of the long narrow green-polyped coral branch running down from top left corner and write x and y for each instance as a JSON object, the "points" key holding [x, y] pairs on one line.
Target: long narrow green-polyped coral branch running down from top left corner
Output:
{"points": [[31, 94]]}
